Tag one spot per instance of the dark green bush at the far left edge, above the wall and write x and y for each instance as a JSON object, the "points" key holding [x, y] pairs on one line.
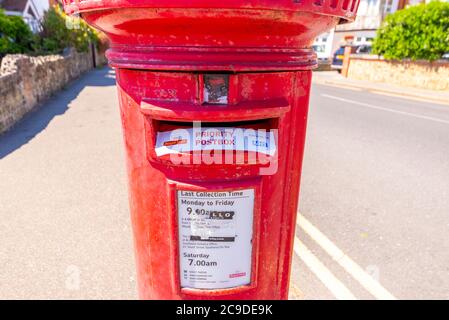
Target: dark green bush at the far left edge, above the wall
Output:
{"points": [[15, 35]]}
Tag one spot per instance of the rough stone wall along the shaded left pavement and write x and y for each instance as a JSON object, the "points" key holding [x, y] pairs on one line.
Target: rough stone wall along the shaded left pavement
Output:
{"points": [[25, 81]]}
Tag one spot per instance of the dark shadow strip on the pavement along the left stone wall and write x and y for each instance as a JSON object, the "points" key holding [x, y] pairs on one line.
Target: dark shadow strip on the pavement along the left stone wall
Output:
{"points": [[36, 121]]}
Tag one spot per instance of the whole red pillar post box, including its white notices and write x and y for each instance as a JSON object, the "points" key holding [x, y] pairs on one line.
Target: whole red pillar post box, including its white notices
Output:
{"points": [[213, 100]]}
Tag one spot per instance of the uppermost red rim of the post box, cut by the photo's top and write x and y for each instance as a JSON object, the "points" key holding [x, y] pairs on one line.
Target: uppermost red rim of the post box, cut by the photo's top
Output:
{"points": [[344, 9]]}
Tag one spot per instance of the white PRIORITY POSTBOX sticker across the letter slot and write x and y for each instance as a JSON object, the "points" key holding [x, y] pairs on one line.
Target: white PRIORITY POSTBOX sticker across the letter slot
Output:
{"points": [[220, 138]]}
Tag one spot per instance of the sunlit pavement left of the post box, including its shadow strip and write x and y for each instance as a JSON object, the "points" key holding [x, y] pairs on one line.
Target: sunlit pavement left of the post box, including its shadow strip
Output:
{"points": [[64, 218]]}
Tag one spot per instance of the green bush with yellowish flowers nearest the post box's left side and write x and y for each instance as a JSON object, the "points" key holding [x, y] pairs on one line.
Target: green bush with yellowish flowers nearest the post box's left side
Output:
{"points": [[60, 31]]}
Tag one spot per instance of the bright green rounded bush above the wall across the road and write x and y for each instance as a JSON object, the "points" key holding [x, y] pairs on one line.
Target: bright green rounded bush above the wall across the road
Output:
{"points": [[418, 32]]}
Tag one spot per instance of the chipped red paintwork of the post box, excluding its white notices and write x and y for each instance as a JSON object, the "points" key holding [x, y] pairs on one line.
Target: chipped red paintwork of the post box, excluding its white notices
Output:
{"points": [[161, 51]]}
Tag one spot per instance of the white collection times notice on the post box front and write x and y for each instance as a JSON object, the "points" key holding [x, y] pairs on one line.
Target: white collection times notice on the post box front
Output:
{"points": [[215, 238]]}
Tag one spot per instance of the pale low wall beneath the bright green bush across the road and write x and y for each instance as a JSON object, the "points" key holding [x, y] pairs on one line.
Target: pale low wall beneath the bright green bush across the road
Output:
{"points": [[418, 74]]}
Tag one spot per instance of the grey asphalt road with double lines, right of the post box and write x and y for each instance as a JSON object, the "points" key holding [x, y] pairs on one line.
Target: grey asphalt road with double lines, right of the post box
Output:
{"points": [[375, 196]]}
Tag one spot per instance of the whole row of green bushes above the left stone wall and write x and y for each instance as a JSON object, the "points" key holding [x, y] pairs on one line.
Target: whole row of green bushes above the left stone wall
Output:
{"points": [[58, 32]]}
